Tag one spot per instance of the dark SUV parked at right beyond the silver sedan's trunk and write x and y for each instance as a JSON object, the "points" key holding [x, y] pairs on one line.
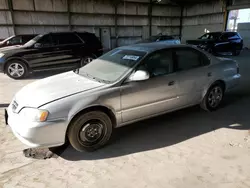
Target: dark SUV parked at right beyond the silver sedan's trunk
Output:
{"points": [[219, 43]]}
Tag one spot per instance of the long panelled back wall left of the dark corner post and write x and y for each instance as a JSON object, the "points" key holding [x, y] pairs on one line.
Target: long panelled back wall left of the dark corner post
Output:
{"points": [[128, 21]]}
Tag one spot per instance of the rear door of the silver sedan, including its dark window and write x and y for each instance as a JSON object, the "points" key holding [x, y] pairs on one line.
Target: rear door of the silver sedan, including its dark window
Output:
{"points": [[193, 74]]}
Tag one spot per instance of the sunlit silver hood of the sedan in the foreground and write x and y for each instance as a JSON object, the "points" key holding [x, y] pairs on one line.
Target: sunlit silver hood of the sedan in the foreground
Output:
{"points": [[53, 88]]}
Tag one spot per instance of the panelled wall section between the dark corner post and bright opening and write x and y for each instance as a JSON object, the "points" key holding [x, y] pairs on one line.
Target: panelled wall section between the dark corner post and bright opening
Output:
{"points": [[201, 18]]}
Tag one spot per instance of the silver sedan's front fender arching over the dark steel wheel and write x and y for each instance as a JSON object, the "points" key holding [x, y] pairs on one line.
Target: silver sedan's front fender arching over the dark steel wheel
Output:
{"points": [[68, 107]]}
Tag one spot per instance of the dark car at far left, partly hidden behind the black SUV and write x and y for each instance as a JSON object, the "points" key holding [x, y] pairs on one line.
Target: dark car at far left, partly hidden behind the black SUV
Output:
{"points": [[16, 40]]}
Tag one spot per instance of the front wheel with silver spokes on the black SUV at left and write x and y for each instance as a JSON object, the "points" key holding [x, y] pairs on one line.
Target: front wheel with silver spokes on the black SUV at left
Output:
{"points": [[16, 69]]}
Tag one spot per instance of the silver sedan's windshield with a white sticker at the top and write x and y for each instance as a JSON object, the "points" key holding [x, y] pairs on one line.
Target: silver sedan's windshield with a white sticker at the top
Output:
{"points": [[112, 66]]}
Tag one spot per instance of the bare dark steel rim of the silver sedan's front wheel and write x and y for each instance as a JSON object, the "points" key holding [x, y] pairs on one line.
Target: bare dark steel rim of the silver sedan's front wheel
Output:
{"points": [[91, 132]]}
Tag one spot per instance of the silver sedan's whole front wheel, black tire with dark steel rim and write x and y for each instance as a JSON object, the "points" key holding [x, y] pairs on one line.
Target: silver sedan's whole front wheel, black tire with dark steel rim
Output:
{"points": [[90, 131]]}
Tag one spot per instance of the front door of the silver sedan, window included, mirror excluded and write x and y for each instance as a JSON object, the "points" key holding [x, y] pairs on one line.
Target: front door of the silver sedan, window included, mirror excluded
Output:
{"points": [[142, 99]]}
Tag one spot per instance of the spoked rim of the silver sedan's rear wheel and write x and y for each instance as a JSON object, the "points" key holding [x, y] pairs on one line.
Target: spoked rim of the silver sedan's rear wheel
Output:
{"points": [[215, 97]]}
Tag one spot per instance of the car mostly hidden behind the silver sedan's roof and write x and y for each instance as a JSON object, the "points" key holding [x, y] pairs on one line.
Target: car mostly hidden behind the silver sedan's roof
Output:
{"points": [[165, 39]]}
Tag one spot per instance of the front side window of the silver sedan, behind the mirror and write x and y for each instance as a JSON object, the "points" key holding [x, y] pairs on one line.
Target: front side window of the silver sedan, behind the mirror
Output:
{"points": [[159, 63]]}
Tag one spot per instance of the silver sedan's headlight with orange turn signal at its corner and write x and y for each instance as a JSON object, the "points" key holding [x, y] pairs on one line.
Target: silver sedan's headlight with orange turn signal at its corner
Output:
{"points": [[34, 114]]}
